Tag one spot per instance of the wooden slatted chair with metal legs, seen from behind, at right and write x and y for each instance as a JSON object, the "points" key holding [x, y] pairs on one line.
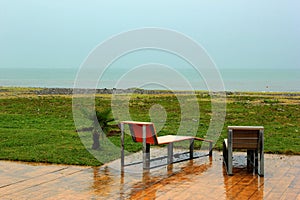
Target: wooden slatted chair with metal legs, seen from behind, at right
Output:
{"points": [[250, 138]]}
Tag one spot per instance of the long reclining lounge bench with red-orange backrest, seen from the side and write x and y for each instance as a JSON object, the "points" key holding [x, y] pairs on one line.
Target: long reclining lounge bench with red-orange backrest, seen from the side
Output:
{"points": [[144, 132]]}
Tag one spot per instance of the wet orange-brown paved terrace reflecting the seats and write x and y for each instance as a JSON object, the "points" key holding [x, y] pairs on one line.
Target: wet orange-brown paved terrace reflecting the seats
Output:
{"points": [[201, 178]]}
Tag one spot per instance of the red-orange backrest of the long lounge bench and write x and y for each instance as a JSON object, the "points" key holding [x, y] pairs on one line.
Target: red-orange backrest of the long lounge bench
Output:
{"points": [[136, 131]]}
